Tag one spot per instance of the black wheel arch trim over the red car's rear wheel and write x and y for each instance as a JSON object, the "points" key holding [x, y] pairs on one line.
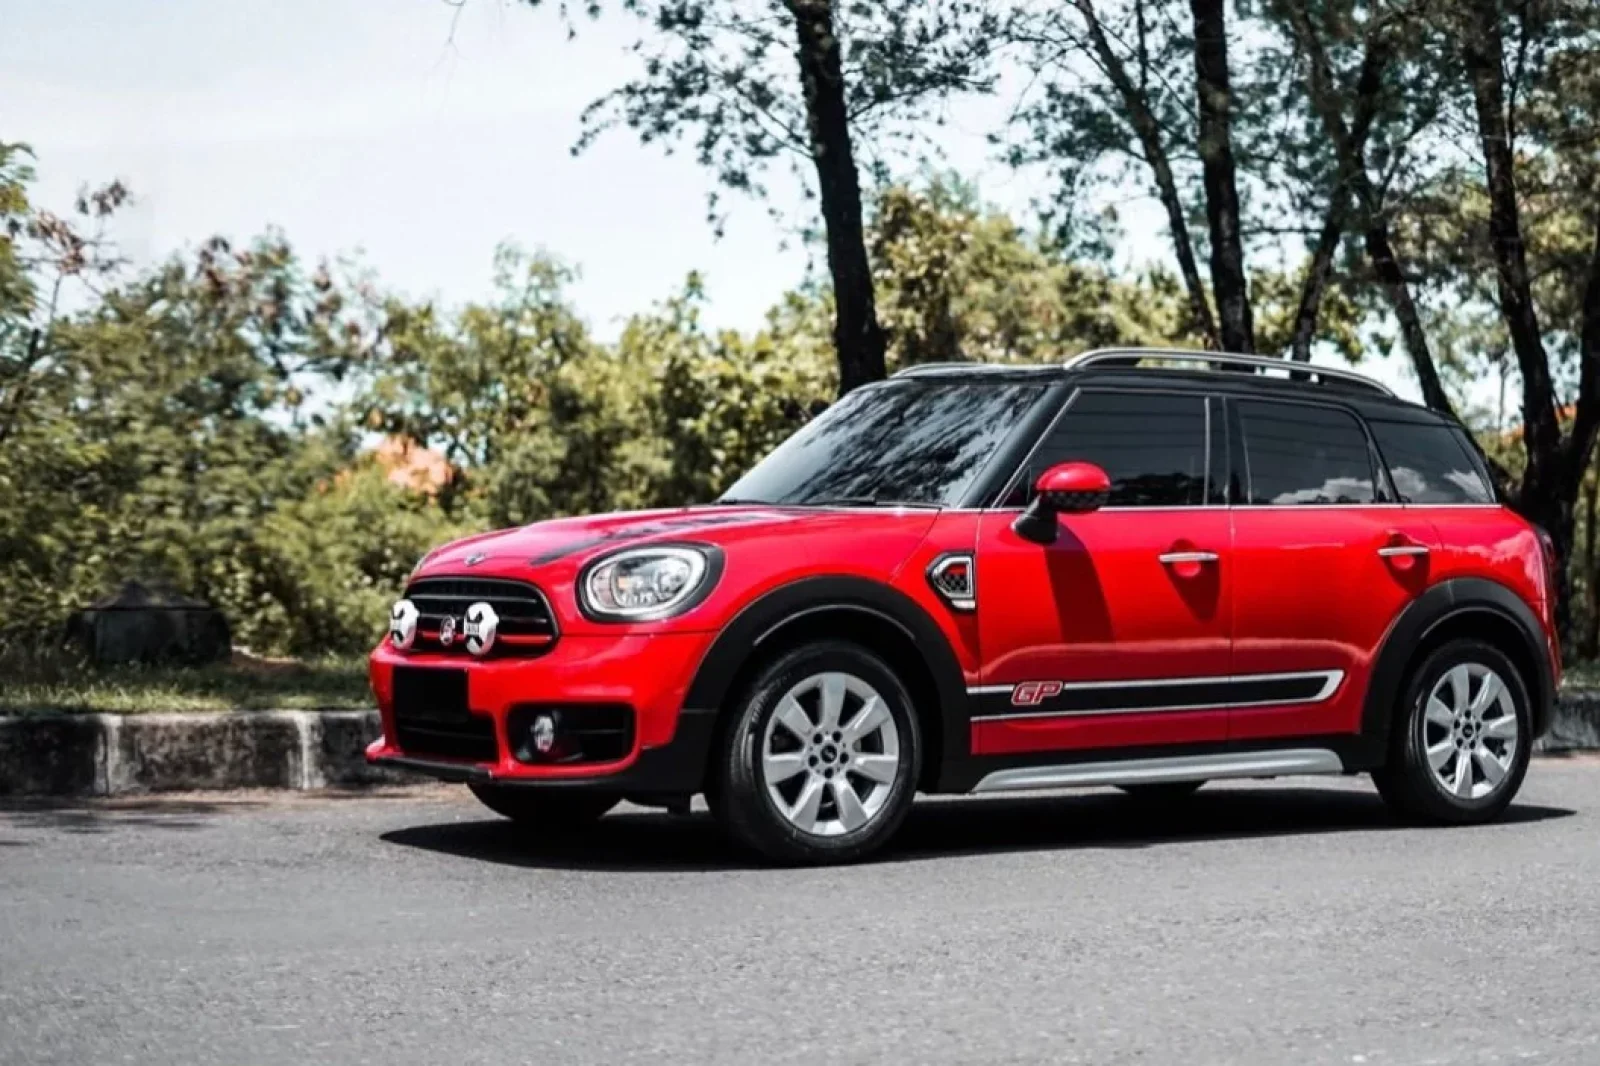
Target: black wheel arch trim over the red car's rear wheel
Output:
{"points": [[1458, 609]]}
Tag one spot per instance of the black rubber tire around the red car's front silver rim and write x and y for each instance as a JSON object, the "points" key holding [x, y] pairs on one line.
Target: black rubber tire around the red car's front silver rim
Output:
{"points": [[740, 796]]}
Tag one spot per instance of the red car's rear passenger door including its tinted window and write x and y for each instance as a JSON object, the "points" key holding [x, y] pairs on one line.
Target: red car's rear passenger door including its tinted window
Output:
{"points": [[1324, 556]]}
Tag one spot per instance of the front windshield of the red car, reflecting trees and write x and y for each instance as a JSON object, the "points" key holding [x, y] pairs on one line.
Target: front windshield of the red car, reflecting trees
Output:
{"points": [[911, 443]]}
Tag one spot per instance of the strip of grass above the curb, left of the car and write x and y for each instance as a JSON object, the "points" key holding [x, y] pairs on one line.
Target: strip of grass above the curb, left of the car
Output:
{"points": [[60, 684]]}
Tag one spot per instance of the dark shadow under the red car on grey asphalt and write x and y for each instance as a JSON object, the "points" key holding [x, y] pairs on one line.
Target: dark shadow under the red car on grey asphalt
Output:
{"points": [[644, 841]]}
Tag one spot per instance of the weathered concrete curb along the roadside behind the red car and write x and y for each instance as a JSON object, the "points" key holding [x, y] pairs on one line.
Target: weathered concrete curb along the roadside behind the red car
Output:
{"points": [[119, 755]]}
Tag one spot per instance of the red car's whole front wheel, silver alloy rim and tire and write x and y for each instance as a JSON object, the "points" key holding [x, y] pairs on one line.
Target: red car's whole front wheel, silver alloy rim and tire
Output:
{"points": [[822, 758]]}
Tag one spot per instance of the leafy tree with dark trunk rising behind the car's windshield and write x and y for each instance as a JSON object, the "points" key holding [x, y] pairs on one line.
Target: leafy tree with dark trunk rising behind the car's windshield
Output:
{"points": [[817, 82]]}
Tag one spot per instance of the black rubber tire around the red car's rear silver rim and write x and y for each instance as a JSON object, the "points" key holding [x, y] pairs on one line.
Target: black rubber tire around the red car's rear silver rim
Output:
{"points": [[1409, 782]]}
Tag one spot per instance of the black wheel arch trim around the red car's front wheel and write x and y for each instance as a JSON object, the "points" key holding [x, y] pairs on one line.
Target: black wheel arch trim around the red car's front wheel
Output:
{"points": [[865, 612]]}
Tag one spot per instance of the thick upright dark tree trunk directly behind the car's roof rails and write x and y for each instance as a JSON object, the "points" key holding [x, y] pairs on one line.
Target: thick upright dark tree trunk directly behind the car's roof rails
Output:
{"points": [[1222, 188]]}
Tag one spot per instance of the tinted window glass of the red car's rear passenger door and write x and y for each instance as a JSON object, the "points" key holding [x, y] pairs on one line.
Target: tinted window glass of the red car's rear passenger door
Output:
{"points": [[1305, 455]]}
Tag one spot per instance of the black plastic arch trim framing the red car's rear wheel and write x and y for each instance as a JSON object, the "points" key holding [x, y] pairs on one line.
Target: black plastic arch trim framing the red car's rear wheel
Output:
{"points": [[1446, 603]]}
